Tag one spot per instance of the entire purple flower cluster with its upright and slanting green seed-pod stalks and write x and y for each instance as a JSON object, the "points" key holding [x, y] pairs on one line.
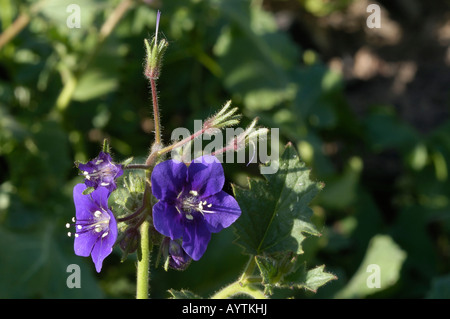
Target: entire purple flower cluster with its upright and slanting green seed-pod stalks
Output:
{"points": [[191, 203]]}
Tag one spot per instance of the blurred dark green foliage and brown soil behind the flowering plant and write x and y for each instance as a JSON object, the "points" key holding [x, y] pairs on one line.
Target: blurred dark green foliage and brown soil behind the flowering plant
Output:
{"points": [[367, 109]]}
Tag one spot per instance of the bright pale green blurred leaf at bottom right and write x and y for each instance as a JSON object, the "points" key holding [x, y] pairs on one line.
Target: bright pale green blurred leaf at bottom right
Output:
{"points": [[384, 258]]}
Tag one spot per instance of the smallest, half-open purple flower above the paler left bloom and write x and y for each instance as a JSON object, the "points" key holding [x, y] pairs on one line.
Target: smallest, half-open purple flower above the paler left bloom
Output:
{"points": [[101, 171]]}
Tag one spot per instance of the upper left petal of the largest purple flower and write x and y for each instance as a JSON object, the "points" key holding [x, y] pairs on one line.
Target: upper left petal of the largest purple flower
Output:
{"points": [[168, 179]]}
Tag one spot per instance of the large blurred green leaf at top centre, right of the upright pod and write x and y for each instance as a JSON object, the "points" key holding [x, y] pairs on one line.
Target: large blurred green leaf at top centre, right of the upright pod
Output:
{"points": [[260, 76]]}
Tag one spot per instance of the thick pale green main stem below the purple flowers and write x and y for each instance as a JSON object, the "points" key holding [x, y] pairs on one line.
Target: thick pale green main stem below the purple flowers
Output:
{"points": [[143, 267]]}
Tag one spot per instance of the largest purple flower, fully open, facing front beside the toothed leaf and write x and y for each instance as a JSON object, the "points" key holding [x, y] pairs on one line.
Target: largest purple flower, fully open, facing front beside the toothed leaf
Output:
{"points": [[191, 203]]}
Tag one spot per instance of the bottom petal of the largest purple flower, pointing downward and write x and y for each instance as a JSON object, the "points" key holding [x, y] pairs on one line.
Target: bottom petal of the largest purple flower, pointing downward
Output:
{"points": [[196, 238]]}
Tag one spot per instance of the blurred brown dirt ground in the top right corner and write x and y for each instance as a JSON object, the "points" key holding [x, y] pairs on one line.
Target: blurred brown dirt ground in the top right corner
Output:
{"points": [[404, 63]]}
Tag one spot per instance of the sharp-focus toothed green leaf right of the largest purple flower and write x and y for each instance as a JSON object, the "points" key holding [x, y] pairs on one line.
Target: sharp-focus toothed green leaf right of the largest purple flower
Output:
{"points": [[275, 213]]}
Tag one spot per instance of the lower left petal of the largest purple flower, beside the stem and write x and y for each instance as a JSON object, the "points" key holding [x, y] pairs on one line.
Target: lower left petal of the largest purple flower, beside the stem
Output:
{"points": [[167, 220]]}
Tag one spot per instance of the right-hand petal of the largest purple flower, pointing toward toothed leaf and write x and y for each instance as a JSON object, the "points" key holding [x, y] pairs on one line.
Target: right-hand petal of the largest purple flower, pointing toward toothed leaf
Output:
{"points": [[224, 211]]}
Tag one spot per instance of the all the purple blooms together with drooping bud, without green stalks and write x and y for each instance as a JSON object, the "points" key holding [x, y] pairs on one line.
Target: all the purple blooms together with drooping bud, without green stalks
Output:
{"points": [[191, 206]]}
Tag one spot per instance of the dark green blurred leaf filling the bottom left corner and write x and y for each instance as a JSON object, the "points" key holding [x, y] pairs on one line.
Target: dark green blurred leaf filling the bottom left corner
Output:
{"points": [[34, 265]]}
